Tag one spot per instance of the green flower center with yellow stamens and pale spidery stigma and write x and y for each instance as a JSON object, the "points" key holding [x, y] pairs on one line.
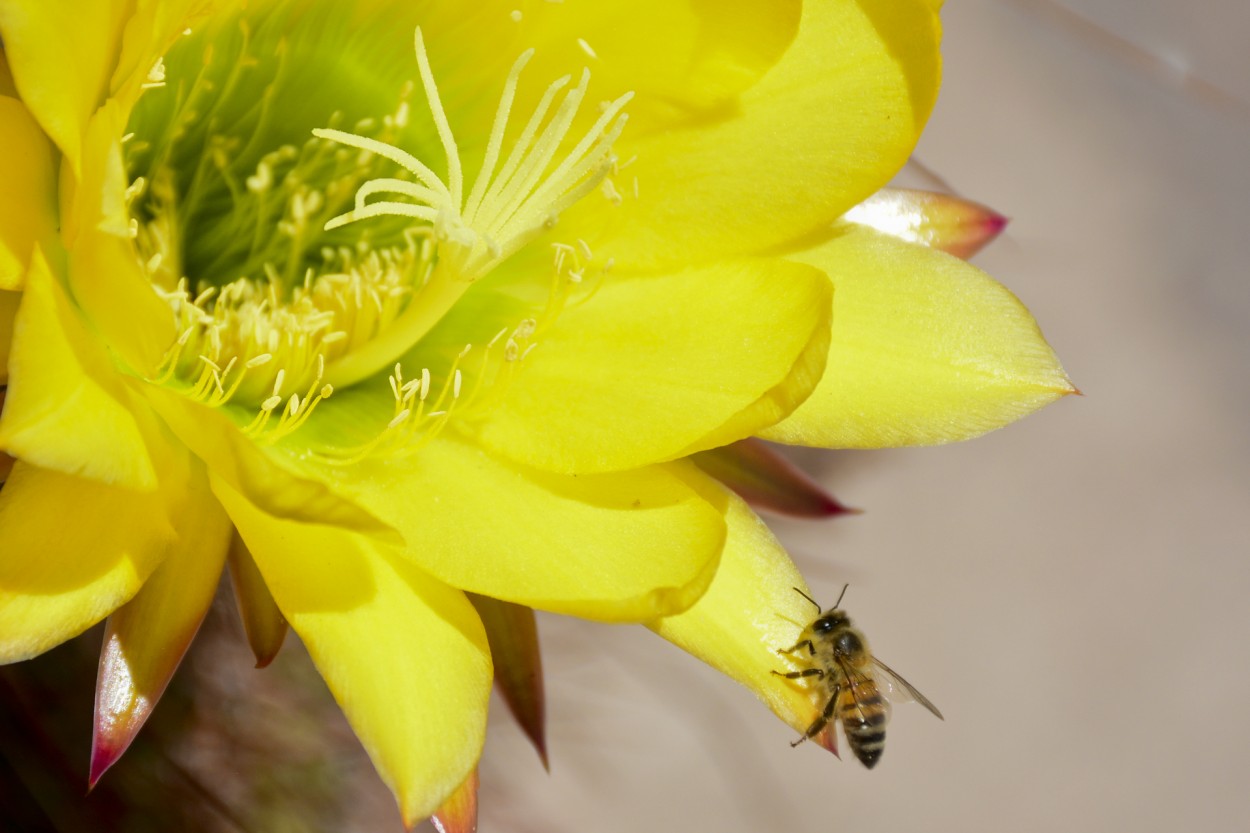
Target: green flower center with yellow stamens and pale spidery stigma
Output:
{"points": [[301, 250]]}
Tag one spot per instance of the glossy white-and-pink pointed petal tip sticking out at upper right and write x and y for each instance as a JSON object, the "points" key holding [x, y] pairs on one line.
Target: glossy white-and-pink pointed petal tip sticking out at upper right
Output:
{"points": [[942, 222]]}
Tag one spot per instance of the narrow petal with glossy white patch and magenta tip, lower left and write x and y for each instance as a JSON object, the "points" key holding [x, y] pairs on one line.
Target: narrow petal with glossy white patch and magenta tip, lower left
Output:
{"points": [[146, 639]]}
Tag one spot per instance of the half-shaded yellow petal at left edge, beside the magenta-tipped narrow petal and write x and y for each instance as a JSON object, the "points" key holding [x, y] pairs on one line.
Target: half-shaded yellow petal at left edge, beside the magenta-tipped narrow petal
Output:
{"points": [[71, 552]]}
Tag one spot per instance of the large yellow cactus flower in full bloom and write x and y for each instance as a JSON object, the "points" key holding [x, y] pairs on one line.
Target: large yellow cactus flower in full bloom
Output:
{"points": [[389, 321]]}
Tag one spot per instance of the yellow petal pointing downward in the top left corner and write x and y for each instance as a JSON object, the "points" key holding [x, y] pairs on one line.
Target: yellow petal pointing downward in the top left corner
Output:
{"points": [[62, 54]]}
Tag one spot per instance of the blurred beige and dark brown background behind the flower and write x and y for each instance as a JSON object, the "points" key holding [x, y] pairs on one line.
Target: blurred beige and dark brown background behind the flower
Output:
{"points": [[1072, 591]]}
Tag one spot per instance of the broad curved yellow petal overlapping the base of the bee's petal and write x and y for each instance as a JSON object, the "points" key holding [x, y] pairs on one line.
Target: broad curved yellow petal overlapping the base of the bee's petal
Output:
{"points": [[621, 547]]}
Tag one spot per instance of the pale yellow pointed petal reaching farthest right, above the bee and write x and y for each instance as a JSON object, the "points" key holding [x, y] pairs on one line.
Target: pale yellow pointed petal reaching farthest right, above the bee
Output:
{"points": [[927, 350]]}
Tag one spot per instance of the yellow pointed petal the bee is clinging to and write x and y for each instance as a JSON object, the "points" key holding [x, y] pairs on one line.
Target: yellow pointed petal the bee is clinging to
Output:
{"points": [[748, 615]]}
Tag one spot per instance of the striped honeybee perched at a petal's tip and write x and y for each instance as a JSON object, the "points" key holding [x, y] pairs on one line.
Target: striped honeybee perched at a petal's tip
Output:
{"points": [[857, 682]]}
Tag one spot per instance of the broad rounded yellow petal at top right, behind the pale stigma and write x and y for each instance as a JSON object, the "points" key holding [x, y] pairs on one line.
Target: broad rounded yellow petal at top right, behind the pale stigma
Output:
{"points": [[824, 129]]}
